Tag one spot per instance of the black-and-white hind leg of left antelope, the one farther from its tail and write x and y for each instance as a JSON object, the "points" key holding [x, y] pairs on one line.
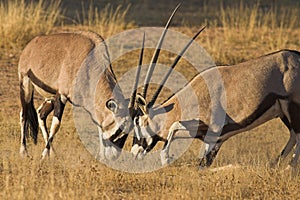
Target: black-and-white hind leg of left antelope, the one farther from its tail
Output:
{"points": [[58, 105]]}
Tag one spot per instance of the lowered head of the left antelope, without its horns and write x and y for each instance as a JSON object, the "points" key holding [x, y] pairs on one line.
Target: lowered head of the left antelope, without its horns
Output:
{"points": [[114, 117]]}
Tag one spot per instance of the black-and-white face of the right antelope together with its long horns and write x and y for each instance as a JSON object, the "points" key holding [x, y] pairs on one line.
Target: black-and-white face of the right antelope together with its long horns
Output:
{"points": [[144, 125]]}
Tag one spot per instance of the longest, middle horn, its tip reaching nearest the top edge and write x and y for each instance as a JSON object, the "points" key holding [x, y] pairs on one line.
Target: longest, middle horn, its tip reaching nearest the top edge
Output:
{"points": [[156, 54]]}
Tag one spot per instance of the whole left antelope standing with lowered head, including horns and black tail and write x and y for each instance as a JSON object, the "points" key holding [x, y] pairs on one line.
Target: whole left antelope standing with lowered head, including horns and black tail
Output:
{"points": [[75, 68]]}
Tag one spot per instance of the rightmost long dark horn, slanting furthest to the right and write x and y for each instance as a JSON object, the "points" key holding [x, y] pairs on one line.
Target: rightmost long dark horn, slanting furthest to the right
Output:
{"points": [[151, 103]]}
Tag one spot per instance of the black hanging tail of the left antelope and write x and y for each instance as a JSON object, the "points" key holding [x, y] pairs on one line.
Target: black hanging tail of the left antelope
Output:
{"points": [[29, 115]]}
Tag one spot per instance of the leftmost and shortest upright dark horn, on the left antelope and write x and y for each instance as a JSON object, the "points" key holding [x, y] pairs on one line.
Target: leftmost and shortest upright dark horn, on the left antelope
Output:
{"points": [[137, 76]]}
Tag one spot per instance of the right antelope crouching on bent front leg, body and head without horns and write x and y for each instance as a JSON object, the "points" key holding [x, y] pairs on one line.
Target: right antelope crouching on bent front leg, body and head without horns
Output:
{"points": [[229, 100]]}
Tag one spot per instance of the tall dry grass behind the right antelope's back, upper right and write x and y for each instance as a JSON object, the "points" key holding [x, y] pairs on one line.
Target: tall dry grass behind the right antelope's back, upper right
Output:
{"points": [[259, 30]]}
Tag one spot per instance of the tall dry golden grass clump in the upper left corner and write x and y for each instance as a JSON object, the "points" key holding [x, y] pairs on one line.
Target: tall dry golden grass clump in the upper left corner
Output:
{"points": [[20, 21]]}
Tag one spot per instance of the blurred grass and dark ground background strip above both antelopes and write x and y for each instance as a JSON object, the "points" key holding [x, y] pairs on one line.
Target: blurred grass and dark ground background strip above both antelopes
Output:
{"points": [[235, 27]]}
